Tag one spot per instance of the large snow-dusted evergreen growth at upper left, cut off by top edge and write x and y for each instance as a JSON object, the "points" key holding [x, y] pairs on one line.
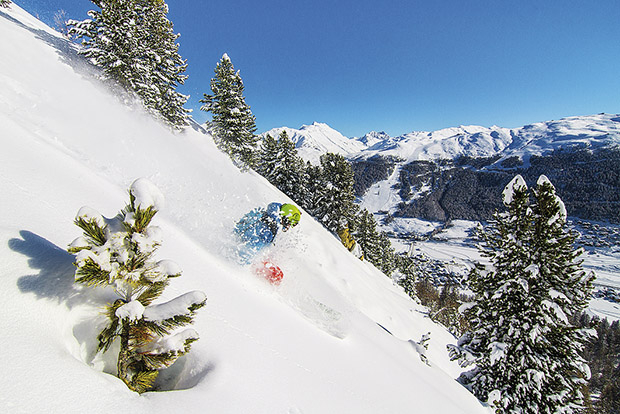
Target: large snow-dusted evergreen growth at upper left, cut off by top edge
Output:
{"points": [[134, 43]]}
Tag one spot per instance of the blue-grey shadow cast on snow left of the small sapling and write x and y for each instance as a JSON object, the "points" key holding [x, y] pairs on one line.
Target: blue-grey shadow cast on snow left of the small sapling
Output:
{"points": [[55, 277]]}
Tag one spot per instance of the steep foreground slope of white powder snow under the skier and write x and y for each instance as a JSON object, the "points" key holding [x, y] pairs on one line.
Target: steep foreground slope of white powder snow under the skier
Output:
{"points": [[312, 345]]}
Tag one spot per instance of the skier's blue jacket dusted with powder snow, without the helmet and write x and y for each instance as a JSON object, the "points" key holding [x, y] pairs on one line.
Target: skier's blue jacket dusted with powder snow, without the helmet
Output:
{"points": [[257, 230]]}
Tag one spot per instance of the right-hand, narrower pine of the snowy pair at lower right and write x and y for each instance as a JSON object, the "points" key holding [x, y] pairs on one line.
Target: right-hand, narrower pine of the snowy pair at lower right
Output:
{"points": [[566, 288]]}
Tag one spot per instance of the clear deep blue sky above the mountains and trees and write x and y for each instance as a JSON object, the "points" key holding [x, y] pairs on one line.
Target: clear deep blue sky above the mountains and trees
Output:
{"points": [[399, 65]]}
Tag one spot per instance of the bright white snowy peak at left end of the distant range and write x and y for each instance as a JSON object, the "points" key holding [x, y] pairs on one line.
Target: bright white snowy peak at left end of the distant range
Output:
{"points": [[314, 140]]}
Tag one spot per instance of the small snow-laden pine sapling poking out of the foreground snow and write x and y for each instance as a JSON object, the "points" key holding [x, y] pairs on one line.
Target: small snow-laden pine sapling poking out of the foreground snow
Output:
{"points": [[119, 253]]}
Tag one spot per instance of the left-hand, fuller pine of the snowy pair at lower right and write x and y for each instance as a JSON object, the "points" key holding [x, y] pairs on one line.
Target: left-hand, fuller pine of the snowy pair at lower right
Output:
{"points": [[506, 325]]}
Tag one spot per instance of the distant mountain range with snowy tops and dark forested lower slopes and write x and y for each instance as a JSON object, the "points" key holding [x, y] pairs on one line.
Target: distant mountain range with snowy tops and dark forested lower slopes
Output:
{"points": [[459, 173]]}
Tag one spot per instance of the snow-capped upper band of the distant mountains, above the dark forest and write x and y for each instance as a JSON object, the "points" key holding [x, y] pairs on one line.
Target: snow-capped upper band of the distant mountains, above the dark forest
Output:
{"points": [[594, 131]]}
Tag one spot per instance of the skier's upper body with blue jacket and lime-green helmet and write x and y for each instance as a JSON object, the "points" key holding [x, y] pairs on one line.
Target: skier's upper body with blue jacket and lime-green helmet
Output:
{"points": [[258, 228]]}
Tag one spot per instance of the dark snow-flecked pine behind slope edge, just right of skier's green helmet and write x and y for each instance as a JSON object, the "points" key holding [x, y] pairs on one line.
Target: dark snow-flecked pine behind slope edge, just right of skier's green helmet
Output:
{"points": [[337, 208]]}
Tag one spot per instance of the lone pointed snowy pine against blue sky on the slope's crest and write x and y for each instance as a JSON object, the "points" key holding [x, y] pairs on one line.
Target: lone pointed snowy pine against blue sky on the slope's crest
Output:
{"points": [[232, 124]]}
